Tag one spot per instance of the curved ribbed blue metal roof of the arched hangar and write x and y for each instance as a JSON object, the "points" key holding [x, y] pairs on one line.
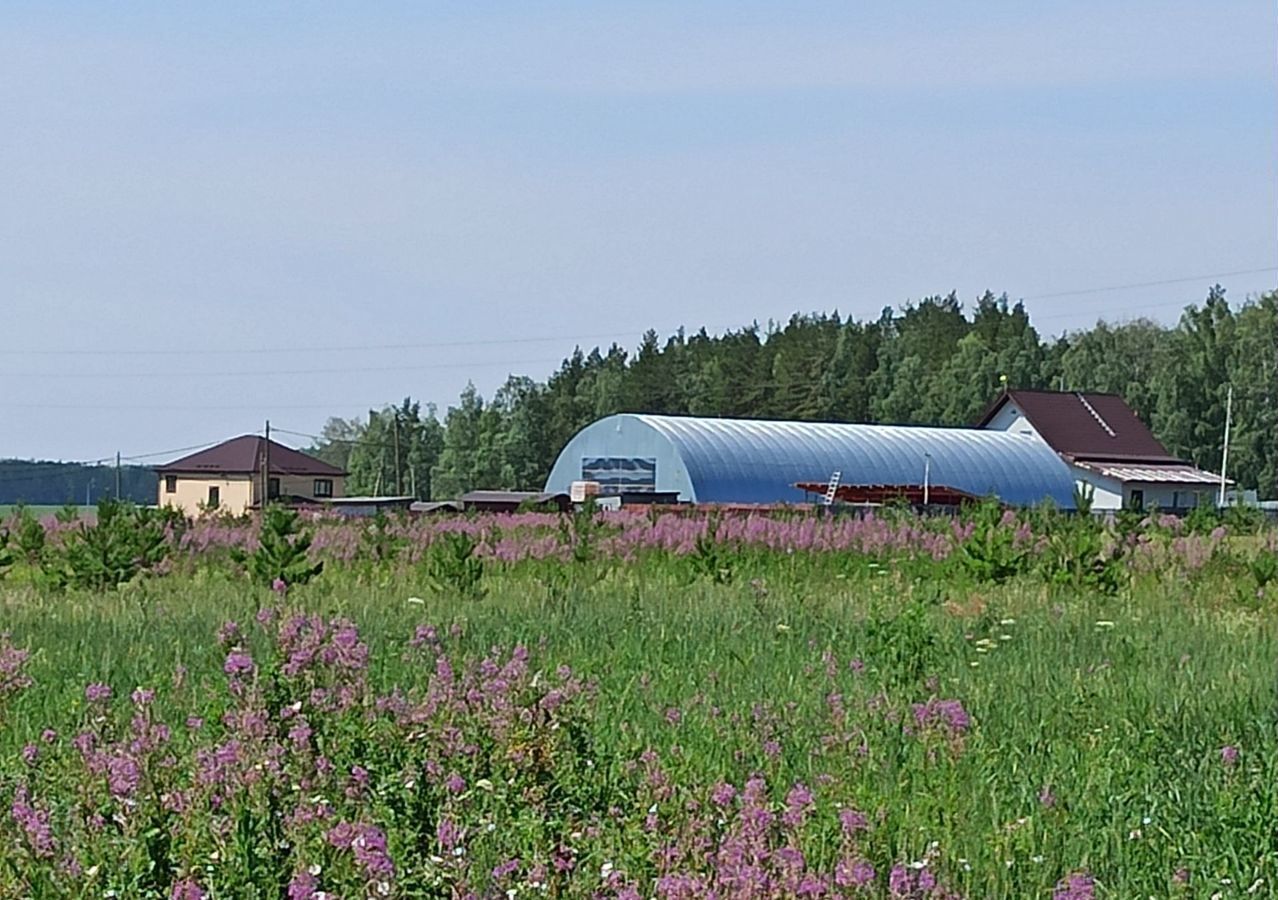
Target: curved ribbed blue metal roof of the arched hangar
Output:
{"points": [[751, 461]]}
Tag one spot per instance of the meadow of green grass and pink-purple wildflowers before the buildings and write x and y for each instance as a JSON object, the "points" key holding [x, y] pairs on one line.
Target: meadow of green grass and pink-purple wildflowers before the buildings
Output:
{"points": [[642, 706]]}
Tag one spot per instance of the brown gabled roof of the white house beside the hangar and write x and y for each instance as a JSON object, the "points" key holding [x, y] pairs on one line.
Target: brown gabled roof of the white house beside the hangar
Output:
{"points": [[1086, 426]]}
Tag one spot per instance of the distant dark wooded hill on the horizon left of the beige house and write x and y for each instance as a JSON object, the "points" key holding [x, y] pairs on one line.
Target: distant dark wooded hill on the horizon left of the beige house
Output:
{"points": [[42, 483]]}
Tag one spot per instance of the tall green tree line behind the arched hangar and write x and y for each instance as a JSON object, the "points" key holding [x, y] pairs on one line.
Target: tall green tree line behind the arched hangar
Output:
{"points": [[931, 362]]}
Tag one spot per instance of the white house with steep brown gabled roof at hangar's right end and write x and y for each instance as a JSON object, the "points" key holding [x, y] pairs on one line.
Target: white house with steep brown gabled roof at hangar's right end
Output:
{"points": [[1107, 447]]}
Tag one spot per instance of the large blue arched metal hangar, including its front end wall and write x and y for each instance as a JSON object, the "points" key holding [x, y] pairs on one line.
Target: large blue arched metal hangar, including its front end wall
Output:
{"points": [[760, 462]]}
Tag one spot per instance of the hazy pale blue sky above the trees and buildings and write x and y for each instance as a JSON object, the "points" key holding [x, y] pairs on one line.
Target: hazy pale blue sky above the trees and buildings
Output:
{"points": [[194, 194]]}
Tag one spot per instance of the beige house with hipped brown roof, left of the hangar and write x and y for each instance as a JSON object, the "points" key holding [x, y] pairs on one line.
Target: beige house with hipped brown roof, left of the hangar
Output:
{"points": [[229, 477]]}
